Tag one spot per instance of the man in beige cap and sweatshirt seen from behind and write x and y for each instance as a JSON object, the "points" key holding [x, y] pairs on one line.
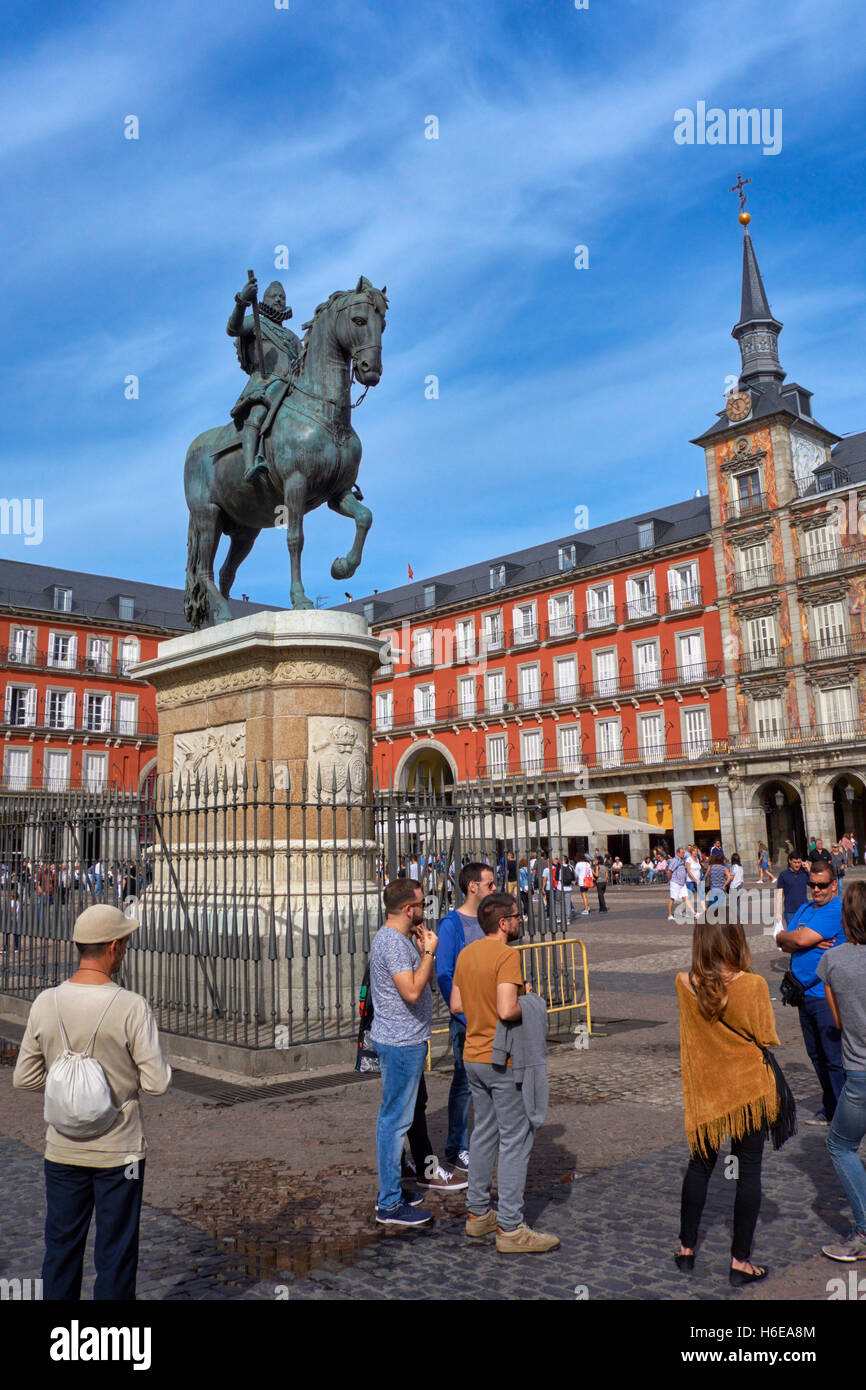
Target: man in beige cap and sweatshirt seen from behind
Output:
{"points": [[104, 1174]]}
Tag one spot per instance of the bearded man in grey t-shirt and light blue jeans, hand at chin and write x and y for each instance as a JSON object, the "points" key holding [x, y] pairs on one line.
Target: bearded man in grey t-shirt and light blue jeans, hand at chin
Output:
{"points": [[402, 1001]]}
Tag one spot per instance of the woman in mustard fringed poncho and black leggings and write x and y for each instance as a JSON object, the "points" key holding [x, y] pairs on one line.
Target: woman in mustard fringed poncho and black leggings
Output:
{"points": [[726, 1018]]}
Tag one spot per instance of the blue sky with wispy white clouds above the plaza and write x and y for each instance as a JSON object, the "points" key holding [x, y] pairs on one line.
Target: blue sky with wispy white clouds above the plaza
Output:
{"points": [[305, 127]]}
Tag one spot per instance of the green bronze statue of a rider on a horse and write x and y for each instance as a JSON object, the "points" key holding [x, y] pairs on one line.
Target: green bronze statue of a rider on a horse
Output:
{"points": [[291, 445]]}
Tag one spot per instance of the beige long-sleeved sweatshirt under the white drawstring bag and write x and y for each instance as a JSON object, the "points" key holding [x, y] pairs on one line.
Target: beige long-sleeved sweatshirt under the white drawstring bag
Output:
{"points": [[129, 1050]]}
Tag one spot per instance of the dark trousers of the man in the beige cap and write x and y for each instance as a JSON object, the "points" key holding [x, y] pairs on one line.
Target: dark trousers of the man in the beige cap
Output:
{"points": [[73, 1195]]}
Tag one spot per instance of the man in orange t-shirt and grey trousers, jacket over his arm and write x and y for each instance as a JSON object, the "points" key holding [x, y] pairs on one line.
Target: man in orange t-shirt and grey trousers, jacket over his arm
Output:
{"points": [[487, 989]]}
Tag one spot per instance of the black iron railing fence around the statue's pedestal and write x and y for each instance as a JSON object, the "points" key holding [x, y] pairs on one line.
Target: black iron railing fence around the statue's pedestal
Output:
{"points": [[256, 899]]}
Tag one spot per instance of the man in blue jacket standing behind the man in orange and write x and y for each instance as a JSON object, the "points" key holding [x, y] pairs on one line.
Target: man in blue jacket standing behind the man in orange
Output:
{"points": [[457, 931]]}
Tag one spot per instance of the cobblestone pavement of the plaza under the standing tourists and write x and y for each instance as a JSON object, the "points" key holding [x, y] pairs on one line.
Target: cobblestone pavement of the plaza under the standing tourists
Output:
{"points": [[275, 1199]]}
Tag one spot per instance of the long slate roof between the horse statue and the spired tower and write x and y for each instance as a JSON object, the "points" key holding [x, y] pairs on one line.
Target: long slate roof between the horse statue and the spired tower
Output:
{"points": [[605, 544]]}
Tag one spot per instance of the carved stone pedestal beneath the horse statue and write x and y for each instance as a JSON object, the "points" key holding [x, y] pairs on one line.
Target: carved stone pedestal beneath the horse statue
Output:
{"points": [[263, 844]]}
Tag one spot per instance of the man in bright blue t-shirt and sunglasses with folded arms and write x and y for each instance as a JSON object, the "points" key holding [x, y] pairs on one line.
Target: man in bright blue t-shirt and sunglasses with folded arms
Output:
{"points": [[814, 929]]}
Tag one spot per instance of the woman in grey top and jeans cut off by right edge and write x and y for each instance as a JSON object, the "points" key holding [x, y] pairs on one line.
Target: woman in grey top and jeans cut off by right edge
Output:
{"points": [[843, 970]]}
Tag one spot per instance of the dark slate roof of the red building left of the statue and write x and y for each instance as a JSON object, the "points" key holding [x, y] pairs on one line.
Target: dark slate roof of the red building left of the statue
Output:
{"points": [[95, 597]]}
